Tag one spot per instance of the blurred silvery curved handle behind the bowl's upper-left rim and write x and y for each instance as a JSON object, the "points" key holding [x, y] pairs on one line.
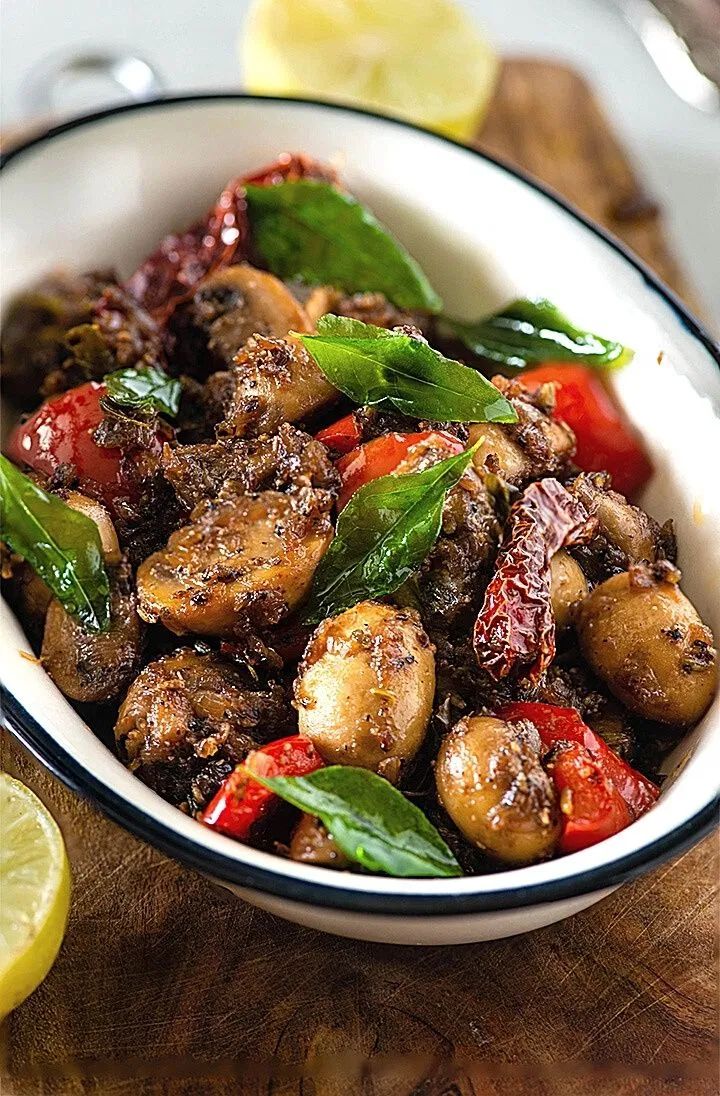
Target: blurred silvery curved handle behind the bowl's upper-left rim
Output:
{"points": [[134, 75]]}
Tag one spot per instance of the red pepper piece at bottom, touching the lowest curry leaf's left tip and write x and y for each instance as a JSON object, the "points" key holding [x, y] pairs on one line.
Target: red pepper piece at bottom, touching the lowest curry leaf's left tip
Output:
{"points": [[241, 803]]}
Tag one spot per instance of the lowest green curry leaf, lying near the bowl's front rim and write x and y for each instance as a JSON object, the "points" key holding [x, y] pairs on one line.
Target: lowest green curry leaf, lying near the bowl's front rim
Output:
{"points": [[370, 820]]}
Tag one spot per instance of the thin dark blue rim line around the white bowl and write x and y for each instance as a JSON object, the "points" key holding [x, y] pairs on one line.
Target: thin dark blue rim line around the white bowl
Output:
{"points": [[227, 870]]}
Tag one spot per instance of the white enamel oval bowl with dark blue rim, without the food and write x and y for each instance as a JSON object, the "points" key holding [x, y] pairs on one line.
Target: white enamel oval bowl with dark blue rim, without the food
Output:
{"points": [[100, 192]]}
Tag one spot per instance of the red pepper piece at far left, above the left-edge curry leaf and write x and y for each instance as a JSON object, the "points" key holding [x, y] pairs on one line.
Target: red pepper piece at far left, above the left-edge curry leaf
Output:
{"points": [[61, 432]]}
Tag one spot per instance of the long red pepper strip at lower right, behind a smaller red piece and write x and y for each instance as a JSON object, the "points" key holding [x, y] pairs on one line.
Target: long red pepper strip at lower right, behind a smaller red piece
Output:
{"points": [[565, 725]]}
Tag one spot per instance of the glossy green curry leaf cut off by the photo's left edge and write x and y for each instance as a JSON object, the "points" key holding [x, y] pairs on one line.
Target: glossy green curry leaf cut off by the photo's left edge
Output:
{"points": [[62, 545]]}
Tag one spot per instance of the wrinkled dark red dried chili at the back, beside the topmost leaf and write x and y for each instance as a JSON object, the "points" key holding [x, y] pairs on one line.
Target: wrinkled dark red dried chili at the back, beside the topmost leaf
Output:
{"points": [[172, 273]]}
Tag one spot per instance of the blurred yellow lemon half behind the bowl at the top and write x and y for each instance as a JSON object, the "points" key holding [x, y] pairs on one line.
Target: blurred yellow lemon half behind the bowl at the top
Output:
{"points": [[419, 60]]}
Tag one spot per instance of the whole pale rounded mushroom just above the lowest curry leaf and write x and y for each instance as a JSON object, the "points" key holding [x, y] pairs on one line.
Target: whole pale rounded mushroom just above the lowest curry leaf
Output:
{"points": [[365, 688]]}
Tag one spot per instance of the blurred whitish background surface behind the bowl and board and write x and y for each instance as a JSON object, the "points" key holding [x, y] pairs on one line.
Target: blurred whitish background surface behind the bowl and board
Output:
{"points": [[193, 44]]}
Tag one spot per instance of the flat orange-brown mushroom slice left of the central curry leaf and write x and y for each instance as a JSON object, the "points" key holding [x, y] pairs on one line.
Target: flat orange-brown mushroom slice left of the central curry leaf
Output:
{"points": [[242, 561]]}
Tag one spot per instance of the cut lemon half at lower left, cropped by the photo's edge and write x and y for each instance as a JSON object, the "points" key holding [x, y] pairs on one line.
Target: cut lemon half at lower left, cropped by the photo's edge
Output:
{"points": [[35, 893]]}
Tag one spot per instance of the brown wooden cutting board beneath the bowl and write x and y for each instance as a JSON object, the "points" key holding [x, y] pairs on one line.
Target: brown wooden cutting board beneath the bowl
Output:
{"points": [[168, 985]]}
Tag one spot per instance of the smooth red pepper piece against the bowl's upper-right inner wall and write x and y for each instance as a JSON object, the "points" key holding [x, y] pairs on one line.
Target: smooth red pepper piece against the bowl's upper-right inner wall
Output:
{"points": [[605, 439]]}
